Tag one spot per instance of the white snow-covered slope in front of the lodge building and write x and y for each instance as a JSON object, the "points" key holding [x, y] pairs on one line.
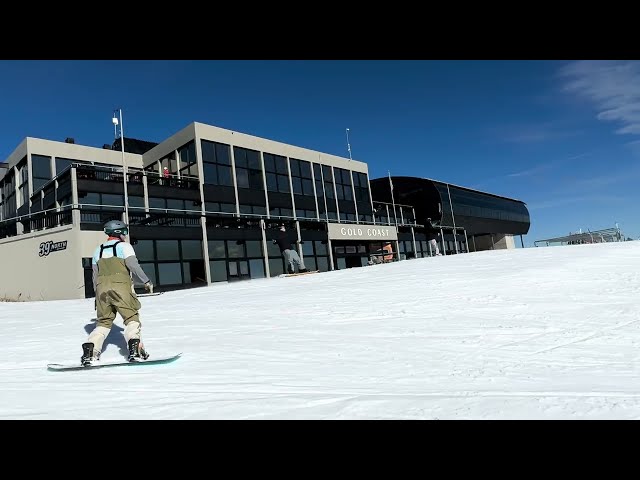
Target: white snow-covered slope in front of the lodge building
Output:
{"points": [[537, 333]]}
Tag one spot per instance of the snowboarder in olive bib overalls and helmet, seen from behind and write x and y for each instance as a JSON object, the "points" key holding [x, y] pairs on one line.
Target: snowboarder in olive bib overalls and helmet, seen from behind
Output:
{"points": [[113, 262]]}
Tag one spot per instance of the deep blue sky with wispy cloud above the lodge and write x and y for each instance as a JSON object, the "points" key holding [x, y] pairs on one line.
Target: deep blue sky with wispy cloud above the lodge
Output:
{"points": [[562, 136]]}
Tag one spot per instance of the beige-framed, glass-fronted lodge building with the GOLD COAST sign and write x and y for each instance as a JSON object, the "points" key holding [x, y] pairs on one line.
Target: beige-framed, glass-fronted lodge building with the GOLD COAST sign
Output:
{"points": [[203, 206]]}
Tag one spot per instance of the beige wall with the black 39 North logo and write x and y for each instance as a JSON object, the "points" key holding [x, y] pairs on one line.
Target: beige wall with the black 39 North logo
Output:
{"points": [[29, 273]]}
